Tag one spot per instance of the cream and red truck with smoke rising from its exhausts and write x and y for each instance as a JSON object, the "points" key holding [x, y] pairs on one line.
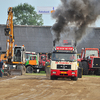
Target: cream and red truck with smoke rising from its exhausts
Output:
{"points": [[64, 63]]}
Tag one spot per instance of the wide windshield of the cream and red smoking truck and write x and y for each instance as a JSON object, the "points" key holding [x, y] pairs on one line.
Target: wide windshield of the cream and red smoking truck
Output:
{"points": [[64, 57]]}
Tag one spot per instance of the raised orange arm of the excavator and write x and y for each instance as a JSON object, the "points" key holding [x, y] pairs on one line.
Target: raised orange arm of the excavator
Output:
{"points": [[9, 33]]}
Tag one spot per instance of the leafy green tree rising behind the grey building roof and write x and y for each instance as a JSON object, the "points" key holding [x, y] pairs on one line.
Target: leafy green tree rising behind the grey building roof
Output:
{"points": [[24, 14]]}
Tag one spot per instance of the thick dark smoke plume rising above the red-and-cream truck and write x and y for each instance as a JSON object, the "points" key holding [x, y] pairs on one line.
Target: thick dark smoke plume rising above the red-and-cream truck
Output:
{"points": [[79, 13]]}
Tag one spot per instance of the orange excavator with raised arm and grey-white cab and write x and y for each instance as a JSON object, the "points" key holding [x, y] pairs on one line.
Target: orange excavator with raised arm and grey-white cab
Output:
{"points": [[15, 55]]}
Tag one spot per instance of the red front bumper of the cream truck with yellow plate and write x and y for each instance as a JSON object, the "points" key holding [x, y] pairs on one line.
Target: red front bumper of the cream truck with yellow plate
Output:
{"points": [[62, 73]]}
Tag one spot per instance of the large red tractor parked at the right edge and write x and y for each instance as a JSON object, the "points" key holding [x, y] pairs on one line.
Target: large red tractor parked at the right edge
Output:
{"points": [[90, 61]]}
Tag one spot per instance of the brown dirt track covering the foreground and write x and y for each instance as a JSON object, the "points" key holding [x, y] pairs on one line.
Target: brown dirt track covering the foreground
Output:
{"points": [[30, 87]]}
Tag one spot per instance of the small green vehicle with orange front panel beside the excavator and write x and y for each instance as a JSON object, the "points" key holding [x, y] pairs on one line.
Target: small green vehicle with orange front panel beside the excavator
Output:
{"points": [[32, 64]]}
